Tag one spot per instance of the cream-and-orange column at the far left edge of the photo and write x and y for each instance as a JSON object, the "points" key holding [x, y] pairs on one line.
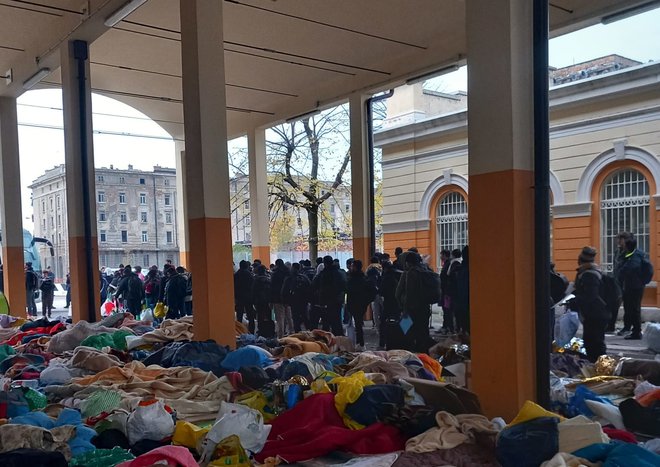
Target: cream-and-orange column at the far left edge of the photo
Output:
{"points": [[11, 215]]}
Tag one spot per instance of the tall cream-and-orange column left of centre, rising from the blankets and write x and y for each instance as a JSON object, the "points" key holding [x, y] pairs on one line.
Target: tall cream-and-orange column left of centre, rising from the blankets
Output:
{"points": [[207, 169]]}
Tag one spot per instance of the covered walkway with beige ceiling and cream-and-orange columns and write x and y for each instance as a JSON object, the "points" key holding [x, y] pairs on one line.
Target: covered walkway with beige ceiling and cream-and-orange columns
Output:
{"points": [[209, 70]]}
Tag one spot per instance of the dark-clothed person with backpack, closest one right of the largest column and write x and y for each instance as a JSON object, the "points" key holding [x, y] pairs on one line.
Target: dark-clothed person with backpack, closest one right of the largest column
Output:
{"points": [[588, 302]]}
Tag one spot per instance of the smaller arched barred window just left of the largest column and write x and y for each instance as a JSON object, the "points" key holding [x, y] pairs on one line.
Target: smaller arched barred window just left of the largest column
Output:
{"points": [[451, 222]]}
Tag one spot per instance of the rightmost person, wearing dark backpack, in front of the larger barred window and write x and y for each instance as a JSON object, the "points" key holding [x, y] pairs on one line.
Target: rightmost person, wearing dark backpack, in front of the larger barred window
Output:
{"points": [[633, 275]]}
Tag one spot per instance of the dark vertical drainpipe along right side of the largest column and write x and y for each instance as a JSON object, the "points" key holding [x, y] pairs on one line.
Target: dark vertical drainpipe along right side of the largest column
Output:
{"points": [[541, 202]]}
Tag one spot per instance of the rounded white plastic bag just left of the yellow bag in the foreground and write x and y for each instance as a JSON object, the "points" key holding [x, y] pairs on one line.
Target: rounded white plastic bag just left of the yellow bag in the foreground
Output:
{"points": [[149, 421]]}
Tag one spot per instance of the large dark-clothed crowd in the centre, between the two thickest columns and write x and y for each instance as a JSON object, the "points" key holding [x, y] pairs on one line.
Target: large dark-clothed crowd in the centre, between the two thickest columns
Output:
{"points": [[285, 298]]}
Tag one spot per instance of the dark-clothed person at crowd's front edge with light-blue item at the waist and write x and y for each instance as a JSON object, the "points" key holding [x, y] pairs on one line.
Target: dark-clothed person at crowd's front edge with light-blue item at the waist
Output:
{"points": [[409, 294]]}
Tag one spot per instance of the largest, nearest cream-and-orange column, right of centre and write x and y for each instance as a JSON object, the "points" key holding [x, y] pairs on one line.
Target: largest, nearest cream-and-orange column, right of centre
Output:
{"points": [[501, 209]]}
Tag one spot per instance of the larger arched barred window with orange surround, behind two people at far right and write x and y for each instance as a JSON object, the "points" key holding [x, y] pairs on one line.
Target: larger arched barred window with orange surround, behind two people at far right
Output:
{"points": [[624, 207]]}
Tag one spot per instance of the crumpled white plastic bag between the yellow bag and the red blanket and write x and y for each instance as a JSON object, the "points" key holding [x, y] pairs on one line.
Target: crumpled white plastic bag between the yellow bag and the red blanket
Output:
{"points": [[239, 420]]}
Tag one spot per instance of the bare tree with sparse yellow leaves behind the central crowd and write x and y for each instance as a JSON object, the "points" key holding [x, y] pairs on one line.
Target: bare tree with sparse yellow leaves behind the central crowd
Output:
{"points": [[302, 156]]}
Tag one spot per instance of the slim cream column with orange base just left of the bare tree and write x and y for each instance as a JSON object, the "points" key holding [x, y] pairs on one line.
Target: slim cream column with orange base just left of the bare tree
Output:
{"points": [[260, 222]]}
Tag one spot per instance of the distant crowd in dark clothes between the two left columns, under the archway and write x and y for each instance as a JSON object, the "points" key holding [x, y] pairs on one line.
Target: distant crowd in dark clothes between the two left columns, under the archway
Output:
{"points": [[135, 291]]}
